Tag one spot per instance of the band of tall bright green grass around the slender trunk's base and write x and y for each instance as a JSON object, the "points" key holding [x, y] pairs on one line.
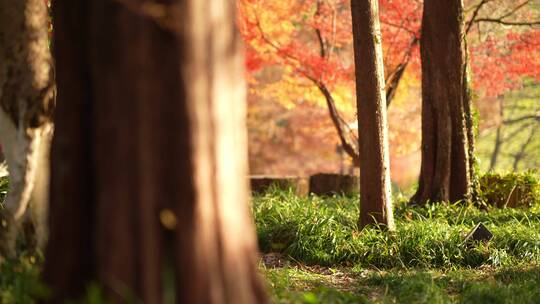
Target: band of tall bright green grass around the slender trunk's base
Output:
{"points": [[321, 231]]}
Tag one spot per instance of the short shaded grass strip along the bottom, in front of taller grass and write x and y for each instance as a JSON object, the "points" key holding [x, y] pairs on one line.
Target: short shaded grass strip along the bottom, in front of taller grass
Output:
{"points": [[487, 285]]}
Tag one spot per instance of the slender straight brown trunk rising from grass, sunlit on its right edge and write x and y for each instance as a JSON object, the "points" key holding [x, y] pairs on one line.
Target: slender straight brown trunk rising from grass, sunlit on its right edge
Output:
{"points": [[375, 195]]}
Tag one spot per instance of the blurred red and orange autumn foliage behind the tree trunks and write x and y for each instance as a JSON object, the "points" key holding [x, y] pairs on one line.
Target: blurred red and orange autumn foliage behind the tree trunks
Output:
{"points": [[284, 55]]}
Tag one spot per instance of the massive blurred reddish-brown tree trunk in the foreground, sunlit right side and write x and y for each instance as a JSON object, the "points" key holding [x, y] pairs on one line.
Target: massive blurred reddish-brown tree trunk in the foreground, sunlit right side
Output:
{"points": [[149, 156]]}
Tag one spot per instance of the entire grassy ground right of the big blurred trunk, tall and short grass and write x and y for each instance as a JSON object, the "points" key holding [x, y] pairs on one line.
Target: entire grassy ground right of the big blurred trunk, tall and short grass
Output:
{"points": [[314, 254]]}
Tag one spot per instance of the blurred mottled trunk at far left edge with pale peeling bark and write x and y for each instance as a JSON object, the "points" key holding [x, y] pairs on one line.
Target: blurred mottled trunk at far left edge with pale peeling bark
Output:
{"points": [[27, 96]]}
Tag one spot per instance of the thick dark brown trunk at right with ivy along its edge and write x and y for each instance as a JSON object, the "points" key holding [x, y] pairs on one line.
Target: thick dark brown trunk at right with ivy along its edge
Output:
{"points": [[446, 121]]}
